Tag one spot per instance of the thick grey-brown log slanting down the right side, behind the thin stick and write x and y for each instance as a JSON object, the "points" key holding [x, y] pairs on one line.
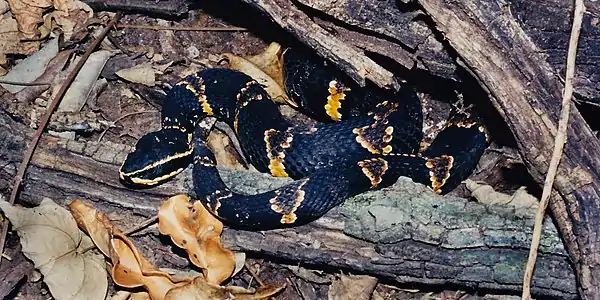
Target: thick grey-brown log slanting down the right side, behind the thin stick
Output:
{"points": [[528, 95]]}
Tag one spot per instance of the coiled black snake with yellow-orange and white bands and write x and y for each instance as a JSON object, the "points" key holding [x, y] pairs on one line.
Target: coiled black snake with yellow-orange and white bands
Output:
{"points": [[364, 139]]}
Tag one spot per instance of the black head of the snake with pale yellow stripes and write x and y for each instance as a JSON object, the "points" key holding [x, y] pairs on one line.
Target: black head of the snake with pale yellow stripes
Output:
{"points": [[158, 157]]}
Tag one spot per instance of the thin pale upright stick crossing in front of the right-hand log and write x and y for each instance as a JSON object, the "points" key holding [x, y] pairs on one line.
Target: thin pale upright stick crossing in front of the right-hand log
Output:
{"points": [[559, 142]]}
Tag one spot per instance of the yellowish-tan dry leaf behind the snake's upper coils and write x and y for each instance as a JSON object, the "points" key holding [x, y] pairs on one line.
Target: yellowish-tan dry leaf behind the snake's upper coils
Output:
{"points": [[268, 60]]}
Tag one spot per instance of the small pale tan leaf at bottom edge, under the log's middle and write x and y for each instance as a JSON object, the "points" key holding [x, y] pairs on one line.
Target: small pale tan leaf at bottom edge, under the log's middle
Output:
{"points": [[352, 287]]}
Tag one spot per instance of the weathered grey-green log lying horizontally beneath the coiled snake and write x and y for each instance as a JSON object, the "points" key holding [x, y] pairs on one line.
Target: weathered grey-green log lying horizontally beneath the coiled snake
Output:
{"points": [[404, 234]]}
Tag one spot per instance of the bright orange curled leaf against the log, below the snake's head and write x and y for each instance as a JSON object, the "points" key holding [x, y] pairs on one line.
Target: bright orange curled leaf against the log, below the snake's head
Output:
{"points": [[194, 229]]}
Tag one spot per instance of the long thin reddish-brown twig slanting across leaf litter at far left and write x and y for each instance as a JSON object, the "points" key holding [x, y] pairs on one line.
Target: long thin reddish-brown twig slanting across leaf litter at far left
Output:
{"points": [[44, 122]]}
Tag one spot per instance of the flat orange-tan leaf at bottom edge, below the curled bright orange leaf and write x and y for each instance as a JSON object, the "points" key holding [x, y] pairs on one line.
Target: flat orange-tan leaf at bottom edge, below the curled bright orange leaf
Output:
{"points": [[199, 289]]}
